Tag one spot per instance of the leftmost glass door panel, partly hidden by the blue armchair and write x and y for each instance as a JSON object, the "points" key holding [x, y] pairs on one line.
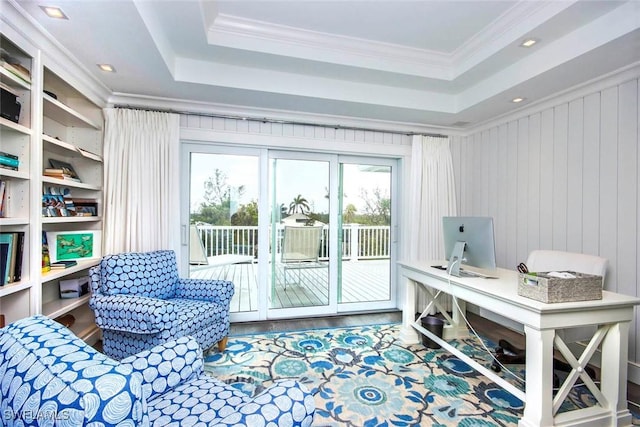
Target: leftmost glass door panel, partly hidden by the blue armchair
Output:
{"points": [[223, 222]]}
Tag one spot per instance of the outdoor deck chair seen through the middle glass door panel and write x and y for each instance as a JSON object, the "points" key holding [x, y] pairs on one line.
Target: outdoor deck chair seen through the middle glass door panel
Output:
{"points": [[300, 249]]}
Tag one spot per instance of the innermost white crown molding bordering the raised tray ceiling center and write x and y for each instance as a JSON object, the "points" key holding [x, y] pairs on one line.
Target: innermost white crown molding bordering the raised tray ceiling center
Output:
{"points": [[513, 25]]}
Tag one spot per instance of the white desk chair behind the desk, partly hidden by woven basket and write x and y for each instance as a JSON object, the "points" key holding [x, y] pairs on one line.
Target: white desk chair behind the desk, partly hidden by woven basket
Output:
{"points": [[548, 260]]}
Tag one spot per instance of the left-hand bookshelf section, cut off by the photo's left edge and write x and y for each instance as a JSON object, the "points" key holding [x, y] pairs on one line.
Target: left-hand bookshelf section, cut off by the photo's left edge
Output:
{"points": [[17, 298]]}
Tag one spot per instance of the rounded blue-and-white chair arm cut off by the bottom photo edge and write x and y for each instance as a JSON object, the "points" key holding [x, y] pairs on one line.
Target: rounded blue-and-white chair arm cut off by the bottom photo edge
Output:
{"points": [[298, 413]]}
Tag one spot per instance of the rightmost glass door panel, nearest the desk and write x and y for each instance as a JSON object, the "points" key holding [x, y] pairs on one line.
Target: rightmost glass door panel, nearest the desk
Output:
{"points": [[365, 203]]}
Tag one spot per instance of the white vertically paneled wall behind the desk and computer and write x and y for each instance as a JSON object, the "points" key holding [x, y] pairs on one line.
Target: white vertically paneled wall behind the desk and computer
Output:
{"points": [[565, 177]]}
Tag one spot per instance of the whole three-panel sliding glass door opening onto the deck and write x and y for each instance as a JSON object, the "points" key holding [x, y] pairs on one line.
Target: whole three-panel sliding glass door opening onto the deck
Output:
{"points": [[299, 234]]}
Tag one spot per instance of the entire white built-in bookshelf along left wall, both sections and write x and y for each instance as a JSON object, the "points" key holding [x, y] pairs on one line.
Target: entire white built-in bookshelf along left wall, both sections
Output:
{"points": [[56, 122]]}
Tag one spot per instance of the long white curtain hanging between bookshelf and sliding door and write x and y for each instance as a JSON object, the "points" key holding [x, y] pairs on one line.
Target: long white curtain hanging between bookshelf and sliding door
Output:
{"points": [[142, 200]]}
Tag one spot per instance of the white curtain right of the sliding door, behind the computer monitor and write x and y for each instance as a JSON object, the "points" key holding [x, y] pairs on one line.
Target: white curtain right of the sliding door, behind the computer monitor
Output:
{"points": [[432, 195]]}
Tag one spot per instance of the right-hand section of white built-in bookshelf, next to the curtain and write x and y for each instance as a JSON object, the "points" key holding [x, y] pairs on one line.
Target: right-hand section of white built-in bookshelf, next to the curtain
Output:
{"points": [[71, 135]]}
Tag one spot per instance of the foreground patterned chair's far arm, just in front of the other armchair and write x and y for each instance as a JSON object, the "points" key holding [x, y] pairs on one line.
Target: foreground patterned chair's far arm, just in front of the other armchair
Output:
{"points": [[167, 365]]}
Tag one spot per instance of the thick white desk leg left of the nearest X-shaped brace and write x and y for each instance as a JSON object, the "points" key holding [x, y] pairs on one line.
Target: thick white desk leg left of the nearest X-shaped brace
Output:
{"points": [[538, 410]]}
